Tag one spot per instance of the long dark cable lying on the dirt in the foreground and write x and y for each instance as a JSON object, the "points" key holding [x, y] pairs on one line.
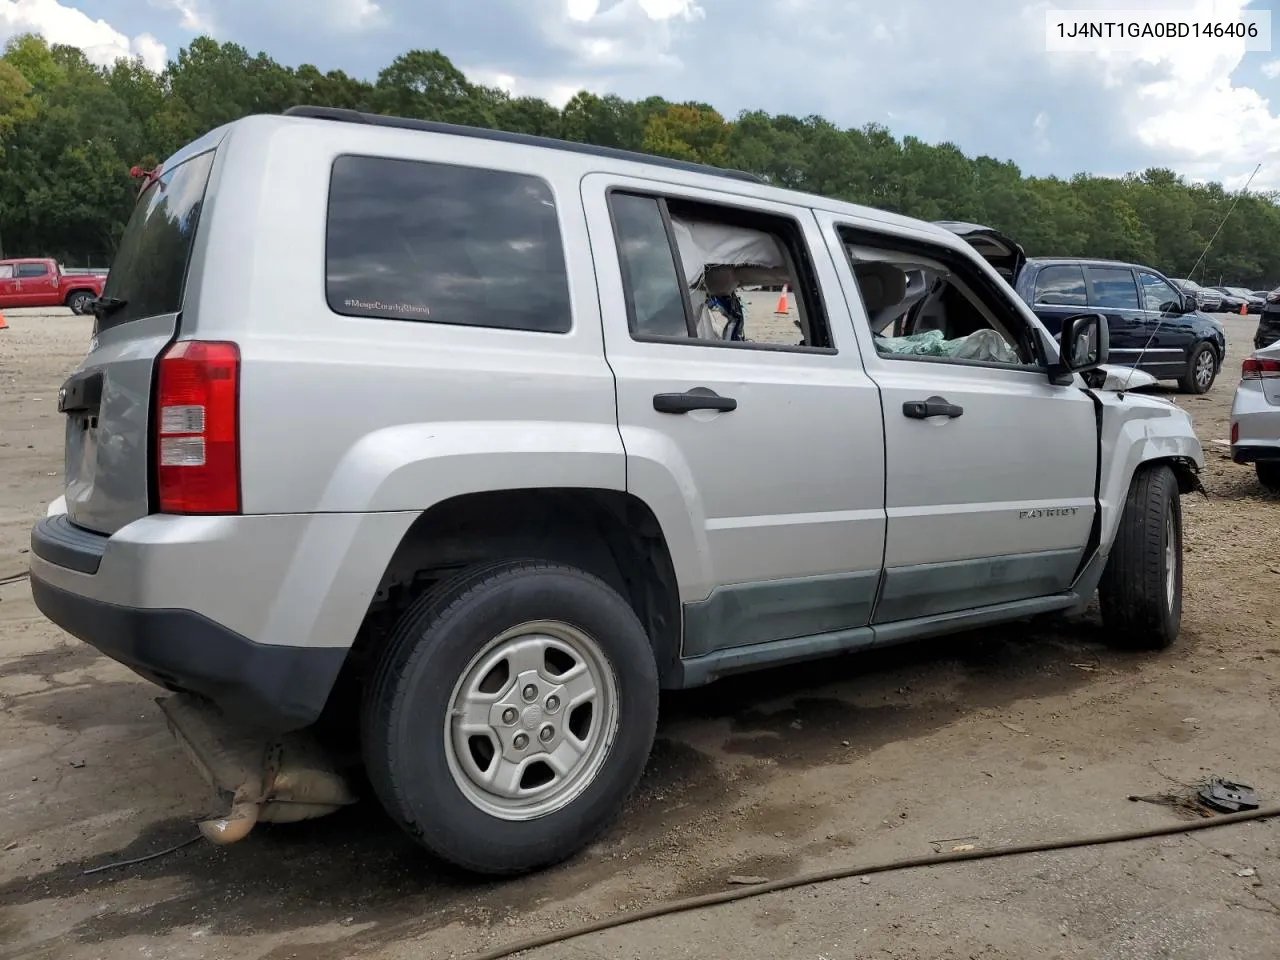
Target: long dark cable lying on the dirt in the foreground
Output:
{"points": [[806, 880]]}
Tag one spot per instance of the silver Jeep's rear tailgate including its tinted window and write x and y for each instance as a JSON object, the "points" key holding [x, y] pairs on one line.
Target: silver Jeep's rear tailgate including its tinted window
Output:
{"points": [[109, 396]]}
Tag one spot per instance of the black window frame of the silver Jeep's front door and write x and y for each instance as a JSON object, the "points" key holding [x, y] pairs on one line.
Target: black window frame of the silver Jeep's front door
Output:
{"points": [[972, 281]]}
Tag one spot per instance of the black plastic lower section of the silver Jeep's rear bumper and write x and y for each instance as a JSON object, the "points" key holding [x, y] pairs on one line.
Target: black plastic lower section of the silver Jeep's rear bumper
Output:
{"points": [[273, 688]]}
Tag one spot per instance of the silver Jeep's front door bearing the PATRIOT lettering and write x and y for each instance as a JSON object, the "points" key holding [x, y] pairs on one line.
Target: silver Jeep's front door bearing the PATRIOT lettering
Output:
{"points": [[991, 469]]}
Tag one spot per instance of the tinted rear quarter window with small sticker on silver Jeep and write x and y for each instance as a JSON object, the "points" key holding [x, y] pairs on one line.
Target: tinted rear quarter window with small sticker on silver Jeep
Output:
{"points": [[440, 244]]}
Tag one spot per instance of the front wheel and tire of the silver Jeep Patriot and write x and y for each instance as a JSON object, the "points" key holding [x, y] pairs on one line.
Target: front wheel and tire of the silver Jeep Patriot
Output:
{"points": [[1139, 609]]}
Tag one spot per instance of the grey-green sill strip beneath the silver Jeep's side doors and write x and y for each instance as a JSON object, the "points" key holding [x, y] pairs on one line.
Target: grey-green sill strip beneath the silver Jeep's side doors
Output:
{"points": [[700, 671]]}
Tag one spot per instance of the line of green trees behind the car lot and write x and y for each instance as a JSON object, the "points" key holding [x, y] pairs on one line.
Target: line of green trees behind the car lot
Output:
{"points": [[71, 132]]}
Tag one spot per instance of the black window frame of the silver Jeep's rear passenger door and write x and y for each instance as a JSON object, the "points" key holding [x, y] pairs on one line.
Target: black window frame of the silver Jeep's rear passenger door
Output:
{"points": [[810, 289]]}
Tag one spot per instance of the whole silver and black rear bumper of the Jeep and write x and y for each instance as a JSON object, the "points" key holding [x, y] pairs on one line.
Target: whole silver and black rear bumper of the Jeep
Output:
{"points": [[254, 612]]}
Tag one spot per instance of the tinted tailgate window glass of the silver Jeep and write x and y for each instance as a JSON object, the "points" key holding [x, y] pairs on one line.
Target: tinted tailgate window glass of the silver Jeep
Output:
{"points": [[149, 273]]}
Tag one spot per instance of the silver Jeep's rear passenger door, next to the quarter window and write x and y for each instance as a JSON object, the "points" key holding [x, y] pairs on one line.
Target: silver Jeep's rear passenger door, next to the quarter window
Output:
{"points": [[764, 452]]}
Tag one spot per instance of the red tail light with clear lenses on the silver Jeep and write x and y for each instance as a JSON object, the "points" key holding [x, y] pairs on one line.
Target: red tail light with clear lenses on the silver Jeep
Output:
{"points": [[198, 429]]}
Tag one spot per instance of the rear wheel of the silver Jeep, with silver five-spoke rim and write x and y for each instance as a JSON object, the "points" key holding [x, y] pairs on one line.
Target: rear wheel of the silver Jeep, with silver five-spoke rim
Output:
{"points": [[511, 715]]}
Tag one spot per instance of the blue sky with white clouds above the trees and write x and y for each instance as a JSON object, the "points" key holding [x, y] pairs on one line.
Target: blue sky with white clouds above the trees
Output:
{"points": [[975, 72]]}
